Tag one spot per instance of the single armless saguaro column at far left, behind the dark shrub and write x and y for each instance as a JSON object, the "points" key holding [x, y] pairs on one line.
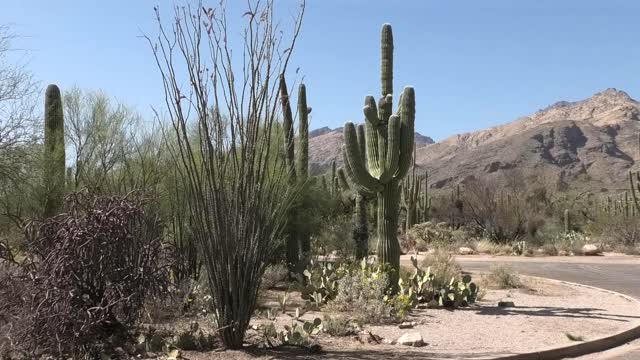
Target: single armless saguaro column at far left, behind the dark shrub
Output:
{"points": [[54, 154]]}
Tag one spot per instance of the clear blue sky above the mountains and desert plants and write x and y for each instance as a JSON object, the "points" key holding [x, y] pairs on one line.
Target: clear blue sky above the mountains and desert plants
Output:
{"points": [[473, 63]]}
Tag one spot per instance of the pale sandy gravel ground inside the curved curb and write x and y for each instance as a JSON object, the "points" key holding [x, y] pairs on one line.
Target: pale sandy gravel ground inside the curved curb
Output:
{"points": [[544, 315]]}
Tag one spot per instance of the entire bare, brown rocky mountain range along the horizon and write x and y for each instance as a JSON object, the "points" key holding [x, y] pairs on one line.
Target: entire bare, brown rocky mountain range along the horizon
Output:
{"points": [[589, 144]]}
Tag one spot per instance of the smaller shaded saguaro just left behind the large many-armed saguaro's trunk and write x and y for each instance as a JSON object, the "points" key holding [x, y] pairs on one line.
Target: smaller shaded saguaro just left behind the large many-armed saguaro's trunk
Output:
{"points": [[360, 223]]}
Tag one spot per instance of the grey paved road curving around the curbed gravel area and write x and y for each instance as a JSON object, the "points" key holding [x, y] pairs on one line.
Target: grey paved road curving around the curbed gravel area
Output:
{"points": [[621, 275]]}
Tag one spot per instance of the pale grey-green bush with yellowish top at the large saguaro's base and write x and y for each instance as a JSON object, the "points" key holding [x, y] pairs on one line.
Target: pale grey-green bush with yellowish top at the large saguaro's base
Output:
{"points": [[361, 293]]}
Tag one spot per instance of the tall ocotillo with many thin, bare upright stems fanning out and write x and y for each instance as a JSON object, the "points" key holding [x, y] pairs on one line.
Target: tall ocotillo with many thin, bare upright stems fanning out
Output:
{"points": [[228, 159]]}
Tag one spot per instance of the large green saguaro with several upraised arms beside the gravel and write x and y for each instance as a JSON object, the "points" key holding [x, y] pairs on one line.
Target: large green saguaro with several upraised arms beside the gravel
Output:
{"points": [[379, 161]]}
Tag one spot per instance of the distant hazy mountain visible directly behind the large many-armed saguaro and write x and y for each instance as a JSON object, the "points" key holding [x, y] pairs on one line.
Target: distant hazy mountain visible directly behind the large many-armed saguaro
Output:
{"points": [[325, 144]]}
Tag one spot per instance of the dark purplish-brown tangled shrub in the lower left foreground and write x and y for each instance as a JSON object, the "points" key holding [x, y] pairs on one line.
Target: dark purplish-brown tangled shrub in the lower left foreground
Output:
{"points": [[87, 275]]}
